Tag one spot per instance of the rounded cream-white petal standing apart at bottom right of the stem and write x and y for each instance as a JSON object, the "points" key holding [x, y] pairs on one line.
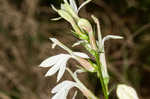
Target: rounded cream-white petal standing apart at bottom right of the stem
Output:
{"points": [[126, 92]]}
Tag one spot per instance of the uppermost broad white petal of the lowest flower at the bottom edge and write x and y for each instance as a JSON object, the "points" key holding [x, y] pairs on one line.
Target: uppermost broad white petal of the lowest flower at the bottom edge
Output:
{"points": [[63, 85]]}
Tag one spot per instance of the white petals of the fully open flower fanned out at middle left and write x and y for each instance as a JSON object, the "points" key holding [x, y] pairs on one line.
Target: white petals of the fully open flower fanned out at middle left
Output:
{"points": [[59, 62]]}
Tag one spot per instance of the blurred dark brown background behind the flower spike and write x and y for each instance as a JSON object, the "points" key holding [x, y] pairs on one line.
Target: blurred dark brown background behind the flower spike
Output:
{"points": [[25, 27]]}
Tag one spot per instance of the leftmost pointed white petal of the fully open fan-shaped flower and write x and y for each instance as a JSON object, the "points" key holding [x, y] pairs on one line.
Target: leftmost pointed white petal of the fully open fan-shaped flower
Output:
{"points": [[50, 61]]}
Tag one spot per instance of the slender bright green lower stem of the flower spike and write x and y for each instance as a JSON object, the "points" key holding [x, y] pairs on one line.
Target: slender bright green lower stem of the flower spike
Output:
{"points": [[104, 86]]}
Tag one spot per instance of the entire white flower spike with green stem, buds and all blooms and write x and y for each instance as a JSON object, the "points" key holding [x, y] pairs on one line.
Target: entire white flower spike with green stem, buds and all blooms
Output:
{"points": [[84, 31]]}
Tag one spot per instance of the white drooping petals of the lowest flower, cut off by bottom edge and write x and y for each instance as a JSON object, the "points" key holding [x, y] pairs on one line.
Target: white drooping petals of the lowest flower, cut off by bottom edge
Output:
{"points": [[62, 89]]}
